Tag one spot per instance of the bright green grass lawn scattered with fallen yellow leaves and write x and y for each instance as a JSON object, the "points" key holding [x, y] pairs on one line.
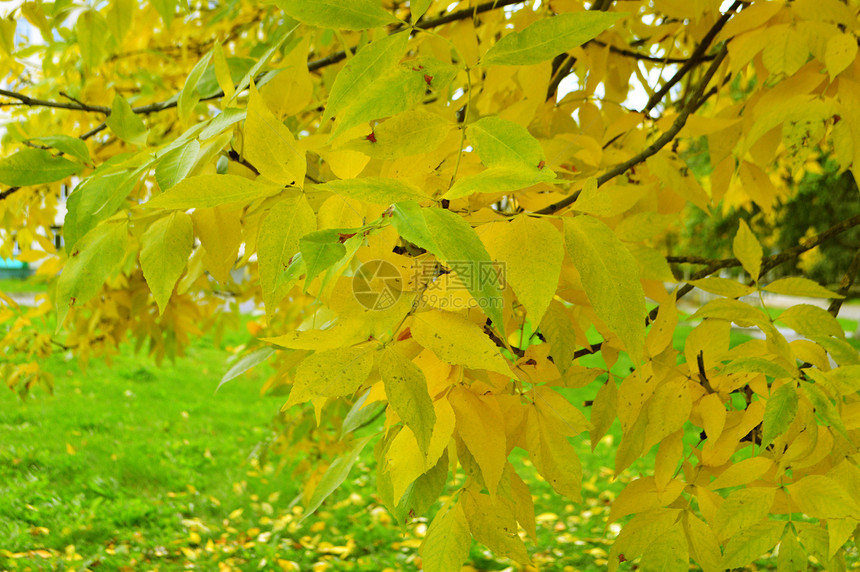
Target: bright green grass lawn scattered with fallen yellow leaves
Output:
{"points": [[141, 467]]}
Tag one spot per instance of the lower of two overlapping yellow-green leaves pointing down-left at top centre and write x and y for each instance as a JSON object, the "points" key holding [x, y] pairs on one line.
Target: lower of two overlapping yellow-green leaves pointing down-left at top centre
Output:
{"points": [[389, 95]]}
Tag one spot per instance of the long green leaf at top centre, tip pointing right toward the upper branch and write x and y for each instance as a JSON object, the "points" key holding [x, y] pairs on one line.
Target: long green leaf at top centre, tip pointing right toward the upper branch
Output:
{"points": [[546, 38]]}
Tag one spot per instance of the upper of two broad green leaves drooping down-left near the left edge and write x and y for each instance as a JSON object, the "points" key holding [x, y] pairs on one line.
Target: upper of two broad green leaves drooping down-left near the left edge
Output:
{"points": [[95, 200]]}
